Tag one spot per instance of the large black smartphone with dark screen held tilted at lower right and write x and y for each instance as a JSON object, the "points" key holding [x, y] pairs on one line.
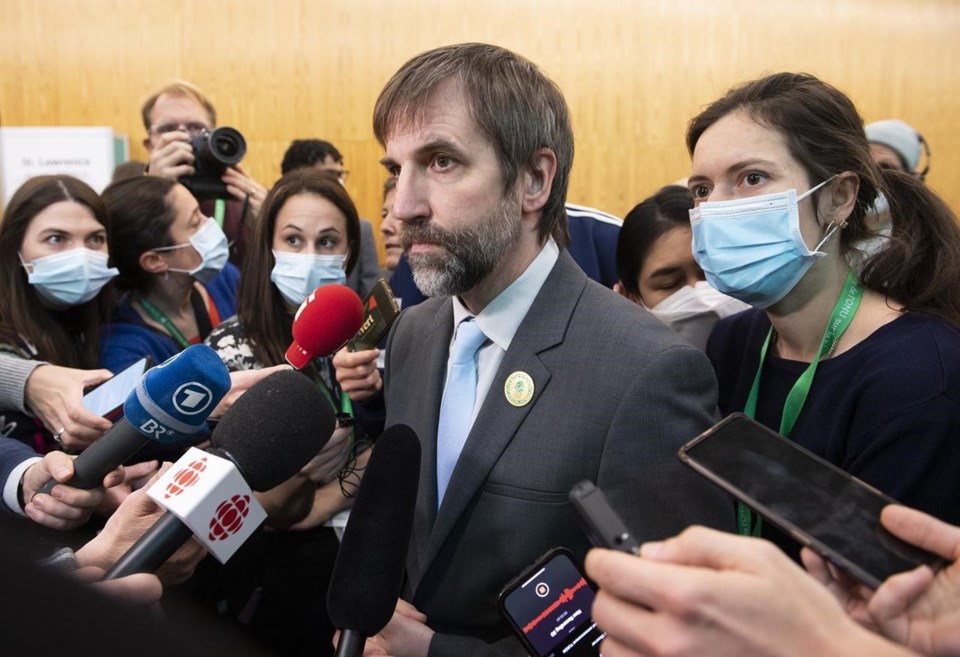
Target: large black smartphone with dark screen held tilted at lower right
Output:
{"points": [[817, 503]]}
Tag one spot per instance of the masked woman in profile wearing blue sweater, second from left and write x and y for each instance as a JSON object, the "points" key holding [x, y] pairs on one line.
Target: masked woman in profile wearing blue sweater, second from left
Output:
{"points": [[173, 267]]}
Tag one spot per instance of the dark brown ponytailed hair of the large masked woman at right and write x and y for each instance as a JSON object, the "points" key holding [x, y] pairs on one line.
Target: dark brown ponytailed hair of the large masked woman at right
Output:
{"points": [[920, 266]]}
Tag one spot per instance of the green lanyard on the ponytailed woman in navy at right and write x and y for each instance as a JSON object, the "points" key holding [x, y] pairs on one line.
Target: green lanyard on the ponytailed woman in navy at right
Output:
{"points": [[840, 318]]}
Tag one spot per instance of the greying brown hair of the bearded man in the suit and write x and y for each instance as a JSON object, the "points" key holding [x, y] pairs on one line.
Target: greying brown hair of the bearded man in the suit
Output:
{"points": [[513, 104]]}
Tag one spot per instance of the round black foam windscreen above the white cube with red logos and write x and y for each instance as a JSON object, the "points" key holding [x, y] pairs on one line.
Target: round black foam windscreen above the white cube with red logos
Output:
{"points": [[274, 429]]}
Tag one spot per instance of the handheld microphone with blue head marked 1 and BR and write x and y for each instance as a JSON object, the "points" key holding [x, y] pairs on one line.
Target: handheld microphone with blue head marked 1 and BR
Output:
{"points": [[170, 405]]}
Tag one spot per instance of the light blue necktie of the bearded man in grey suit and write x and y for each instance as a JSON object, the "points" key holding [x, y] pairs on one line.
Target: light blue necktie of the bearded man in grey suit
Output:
{"points": [[459, 397]]}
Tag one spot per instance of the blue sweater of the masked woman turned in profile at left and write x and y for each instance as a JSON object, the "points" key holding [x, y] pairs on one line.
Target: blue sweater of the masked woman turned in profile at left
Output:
{"points": [[128, 339]]}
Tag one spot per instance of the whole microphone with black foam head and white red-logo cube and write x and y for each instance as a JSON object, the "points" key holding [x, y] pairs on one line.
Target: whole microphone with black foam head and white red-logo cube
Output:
{"points": [[264, 439]]}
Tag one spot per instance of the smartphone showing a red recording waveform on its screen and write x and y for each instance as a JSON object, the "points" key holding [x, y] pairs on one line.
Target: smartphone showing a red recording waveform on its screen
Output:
{"points": [[548, 606]]}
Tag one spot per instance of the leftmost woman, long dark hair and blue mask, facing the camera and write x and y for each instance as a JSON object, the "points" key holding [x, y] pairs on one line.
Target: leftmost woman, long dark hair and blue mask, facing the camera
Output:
{"points": [[54, 265]]}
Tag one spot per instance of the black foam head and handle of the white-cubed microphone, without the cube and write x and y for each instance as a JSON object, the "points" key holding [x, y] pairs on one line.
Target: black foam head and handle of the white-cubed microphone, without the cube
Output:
{"points": [[269, 433]]}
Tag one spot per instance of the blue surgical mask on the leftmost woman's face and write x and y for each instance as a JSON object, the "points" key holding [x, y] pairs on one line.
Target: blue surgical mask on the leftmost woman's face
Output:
{"points": [[70, 278]]}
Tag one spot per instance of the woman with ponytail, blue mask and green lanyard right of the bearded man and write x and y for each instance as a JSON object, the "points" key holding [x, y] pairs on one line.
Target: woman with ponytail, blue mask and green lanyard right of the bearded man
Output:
{"points": [[863, 370]]}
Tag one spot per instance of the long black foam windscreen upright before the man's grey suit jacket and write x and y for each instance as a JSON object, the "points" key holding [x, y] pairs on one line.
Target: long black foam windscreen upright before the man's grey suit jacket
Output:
{"points": [[368, 574]]}
